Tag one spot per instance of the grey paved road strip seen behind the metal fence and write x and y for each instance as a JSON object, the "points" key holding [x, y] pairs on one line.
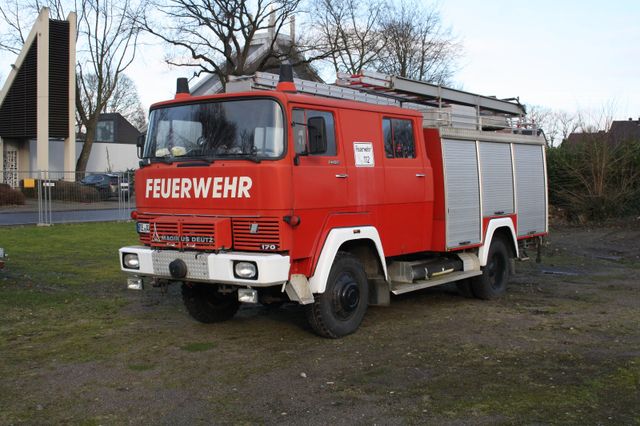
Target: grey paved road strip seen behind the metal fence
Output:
{"points": [[30, 218]]}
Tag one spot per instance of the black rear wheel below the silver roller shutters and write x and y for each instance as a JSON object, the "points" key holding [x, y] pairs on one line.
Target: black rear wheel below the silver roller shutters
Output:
{"points": [[495, 275]]}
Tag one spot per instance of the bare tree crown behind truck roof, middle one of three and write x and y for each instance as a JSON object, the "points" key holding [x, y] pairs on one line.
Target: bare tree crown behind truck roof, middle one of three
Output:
{"points": [[350, 32]]}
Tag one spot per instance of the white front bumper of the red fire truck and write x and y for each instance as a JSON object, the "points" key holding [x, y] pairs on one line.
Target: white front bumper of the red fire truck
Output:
{"points": [[273, 269]]}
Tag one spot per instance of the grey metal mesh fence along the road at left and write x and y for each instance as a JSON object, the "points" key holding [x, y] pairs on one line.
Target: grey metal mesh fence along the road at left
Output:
{"points": [[46, 197]]}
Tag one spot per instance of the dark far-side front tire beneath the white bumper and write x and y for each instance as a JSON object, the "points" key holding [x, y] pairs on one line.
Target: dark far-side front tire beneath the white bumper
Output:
{"points": [[206, 304]]}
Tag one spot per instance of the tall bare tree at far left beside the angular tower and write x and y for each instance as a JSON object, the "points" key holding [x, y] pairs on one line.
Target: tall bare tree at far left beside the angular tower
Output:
{"points": [[106, 46]]}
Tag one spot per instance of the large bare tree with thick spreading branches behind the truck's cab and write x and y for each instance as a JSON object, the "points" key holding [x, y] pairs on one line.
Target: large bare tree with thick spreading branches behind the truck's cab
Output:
{"points": [[216, 36]]}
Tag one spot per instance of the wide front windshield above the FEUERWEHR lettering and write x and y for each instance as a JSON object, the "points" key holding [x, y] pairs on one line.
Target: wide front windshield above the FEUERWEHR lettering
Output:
{"points": [[238, 128]]}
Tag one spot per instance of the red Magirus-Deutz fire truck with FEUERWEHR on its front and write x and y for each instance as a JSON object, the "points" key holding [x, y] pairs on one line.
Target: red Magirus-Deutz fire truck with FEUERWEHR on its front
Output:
{"points": [[333, 196]]}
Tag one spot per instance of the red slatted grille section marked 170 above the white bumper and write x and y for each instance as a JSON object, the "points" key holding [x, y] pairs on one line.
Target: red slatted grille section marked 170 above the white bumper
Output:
{"points": [[256, 234]]}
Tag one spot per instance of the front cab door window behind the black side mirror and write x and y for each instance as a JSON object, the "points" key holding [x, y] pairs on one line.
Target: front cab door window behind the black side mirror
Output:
{"points": [[314, 132]]}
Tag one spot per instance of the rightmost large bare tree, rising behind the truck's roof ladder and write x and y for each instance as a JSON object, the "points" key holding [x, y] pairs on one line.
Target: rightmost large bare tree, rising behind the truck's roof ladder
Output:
{"points": [[416, 44]]}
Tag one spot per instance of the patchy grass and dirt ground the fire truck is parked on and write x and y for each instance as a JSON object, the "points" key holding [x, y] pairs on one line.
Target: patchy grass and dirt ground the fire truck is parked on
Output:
{"points": [[76, 347]]}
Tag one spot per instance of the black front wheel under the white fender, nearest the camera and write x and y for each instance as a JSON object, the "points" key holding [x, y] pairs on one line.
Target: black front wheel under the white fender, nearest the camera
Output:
{"points": [[340, 309]]}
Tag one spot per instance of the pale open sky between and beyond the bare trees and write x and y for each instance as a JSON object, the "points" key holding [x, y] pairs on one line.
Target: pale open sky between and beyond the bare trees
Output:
{"points": [[561, 54]]}
